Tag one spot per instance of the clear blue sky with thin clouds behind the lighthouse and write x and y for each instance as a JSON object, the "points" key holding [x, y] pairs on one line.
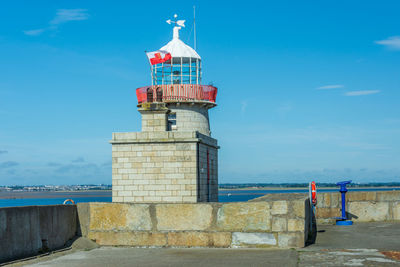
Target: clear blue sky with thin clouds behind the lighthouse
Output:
{"points": [[307, 89]]}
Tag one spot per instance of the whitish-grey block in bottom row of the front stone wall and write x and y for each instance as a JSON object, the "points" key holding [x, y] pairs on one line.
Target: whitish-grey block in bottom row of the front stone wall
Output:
{"points": [[246, 239]]}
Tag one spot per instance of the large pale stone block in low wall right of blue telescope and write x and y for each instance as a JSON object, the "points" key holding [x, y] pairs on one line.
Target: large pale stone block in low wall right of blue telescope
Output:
{"points": [[368, 211]]}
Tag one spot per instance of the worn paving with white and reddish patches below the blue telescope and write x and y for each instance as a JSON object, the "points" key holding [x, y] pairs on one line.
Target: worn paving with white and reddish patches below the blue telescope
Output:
{"points": [[363, 244]]}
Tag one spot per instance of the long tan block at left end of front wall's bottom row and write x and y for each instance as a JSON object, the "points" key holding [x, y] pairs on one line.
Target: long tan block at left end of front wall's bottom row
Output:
{"points": [[112, 238]]}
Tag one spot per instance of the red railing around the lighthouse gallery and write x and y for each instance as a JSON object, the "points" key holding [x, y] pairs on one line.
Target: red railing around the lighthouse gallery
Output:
{"points": [[176, 93]]}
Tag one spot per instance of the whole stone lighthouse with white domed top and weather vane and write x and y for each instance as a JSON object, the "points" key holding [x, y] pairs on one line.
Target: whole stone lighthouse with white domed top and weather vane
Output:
{"points": [[174, 158]]}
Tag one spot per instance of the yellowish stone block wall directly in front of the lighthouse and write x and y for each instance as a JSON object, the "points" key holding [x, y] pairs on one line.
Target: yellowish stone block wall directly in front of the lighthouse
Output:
{"points": [[243, 224]]}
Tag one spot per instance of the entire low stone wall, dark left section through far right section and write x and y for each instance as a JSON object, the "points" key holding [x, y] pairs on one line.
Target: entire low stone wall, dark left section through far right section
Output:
{"points": [[274, 220]]}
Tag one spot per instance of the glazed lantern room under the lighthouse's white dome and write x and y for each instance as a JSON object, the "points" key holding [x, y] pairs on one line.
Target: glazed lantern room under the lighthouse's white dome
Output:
{"points": [[179, 70]]}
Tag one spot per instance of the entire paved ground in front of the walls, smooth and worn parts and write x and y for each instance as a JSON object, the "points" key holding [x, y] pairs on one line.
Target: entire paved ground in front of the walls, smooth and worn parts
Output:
{"points": [[368, 244]]}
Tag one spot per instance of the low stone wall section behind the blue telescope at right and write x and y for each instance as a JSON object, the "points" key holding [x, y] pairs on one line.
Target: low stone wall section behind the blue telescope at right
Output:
{"points": [[372, 206]]}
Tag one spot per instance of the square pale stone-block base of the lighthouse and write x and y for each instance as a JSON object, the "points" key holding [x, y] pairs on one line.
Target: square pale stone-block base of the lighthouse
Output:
{"points": [[164, 166]]}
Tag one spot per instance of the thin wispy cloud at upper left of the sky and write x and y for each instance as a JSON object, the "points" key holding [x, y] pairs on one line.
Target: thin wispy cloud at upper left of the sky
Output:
{"points": [[62, 16]]}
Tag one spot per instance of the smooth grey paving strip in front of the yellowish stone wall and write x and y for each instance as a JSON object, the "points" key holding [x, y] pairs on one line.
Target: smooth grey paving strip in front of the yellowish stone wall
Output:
{"points": [[107, 256]]}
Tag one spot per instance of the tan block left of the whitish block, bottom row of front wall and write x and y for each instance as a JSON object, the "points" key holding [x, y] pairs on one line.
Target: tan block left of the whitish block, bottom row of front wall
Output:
{"points": [[199, 239]]}
